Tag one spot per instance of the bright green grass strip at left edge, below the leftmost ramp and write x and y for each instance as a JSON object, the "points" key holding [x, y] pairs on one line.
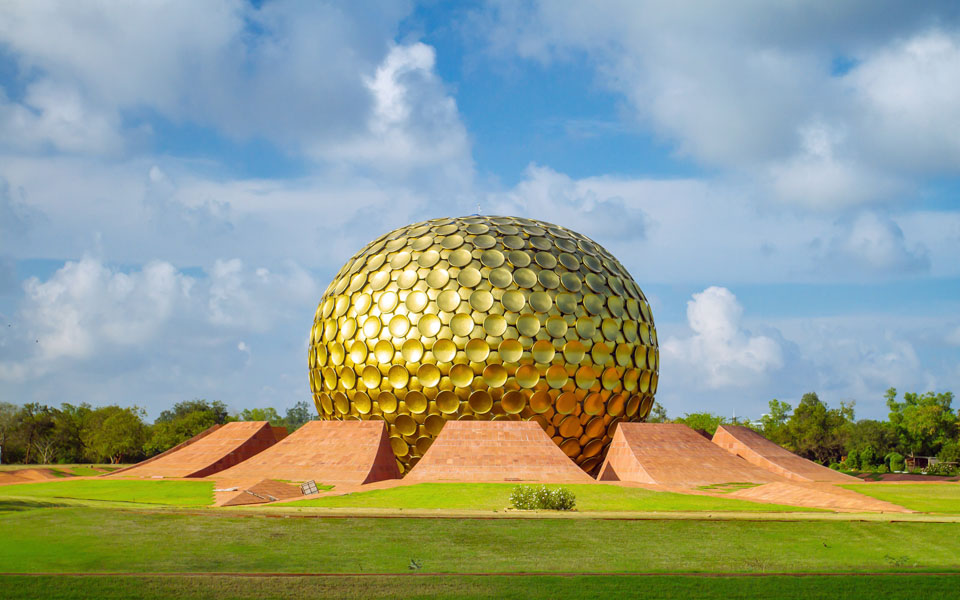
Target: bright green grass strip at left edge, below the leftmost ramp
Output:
{"points": [[144, 491]]}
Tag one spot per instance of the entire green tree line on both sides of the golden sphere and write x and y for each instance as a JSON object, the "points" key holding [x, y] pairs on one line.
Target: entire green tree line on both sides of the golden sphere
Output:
{"points": [[917, 425]]}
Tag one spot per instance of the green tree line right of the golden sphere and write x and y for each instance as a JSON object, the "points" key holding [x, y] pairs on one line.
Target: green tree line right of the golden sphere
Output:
{"points": [[917, 425]]}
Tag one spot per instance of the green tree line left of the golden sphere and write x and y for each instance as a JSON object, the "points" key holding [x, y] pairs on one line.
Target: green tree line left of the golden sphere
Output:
{"points": [[40, 434]]}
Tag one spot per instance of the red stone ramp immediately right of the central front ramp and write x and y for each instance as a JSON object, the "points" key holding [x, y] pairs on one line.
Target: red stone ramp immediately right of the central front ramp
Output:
{"points": [[675, 455]]}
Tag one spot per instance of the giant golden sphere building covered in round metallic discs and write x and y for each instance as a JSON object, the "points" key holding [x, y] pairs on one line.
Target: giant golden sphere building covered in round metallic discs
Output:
{"points": [[485, 318]]}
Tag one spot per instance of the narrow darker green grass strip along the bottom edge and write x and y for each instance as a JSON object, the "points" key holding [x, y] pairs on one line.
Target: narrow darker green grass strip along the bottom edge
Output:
{"points": [[469, 587]]}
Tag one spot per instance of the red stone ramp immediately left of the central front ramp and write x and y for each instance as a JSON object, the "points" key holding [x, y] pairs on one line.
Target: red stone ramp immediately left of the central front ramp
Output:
{"points": [[353, 452]]}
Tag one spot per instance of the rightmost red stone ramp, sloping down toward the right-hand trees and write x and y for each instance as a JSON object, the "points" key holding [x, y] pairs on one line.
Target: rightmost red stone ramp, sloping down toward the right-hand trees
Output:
{"points": [[758, 450]]}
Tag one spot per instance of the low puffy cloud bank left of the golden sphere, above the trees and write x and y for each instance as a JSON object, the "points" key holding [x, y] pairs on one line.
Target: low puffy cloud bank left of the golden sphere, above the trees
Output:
{"points": [[88, 310]]}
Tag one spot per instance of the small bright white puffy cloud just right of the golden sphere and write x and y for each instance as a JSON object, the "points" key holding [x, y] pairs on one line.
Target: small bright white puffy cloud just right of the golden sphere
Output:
{"points": [[720, 353]]}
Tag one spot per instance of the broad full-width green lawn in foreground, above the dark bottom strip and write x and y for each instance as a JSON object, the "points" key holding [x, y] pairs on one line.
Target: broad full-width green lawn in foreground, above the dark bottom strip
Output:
{"points": [[90, 540]]}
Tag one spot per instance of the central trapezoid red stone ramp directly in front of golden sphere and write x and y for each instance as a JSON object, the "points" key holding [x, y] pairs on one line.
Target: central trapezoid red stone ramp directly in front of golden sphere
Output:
{"points": [[475, 451]]}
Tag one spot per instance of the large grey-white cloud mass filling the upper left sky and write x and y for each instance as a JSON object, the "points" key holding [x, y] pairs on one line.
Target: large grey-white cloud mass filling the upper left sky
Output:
{"points": [[321, 79]]}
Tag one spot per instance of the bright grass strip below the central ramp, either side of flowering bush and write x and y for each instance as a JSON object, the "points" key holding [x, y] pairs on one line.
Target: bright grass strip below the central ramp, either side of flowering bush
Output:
{"points": [[496, 496]]}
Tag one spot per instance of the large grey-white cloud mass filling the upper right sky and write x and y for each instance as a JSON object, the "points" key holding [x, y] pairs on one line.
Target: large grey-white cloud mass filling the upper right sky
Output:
{"points": [[753, 89]]}
